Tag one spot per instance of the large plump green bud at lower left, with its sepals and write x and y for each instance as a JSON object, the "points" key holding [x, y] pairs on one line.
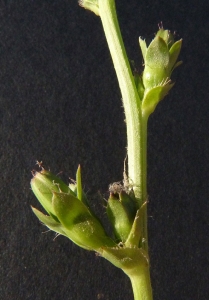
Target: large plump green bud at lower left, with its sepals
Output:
{"points": [[68, 214]]}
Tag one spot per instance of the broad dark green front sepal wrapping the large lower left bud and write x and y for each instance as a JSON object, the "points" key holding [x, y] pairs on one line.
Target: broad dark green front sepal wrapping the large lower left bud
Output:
{"points": [[79, 224]]}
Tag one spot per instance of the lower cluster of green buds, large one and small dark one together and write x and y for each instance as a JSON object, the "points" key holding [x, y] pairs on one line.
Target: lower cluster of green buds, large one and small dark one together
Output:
{"points": [[69, 214]]}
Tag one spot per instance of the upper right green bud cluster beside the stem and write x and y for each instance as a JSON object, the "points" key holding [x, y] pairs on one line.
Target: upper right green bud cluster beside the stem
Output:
{"points": [[160, 59]]}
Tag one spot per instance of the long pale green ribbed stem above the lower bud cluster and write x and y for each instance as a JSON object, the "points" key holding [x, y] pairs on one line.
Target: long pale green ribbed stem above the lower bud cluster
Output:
{"points": [[136, 122]]}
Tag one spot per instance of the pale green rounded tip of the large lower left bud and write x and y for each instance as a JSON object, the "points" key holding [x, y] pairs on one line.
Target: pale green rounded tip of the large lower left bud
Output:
{"points": [[43, 185]]}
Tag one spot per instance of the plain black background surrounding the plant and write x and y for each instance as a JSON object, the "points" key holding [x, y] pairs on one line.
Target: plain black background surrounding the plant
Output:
{"points": [[60, 103]]}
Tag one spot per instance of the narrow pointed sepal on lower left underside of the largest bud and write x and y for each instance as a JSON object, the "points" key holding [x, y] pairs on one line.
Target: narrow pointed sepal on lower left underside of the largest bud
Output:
{"points": [[49, 222]]}
